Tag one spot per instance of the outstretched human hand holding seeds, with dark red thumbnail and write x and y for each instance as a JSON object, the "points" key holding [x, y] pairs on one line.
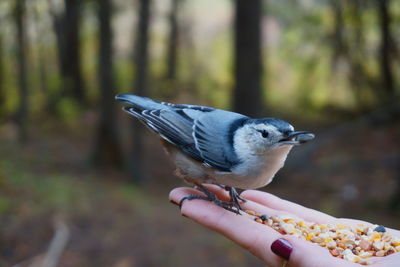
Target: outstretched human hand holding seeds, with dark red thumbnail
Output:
{"points": [[264, 242]]}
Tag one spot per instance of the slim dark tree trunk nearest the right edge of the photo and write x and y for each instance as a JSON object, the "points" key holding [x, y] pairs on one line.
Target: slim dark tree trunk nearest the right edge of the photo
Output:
{"points": [[385, 48]]}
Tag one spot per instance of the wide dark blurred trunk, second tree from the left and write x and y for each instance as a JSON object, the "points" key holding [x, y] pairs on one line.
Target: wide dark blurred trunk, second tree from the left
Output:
{"points": [[67, 29]]}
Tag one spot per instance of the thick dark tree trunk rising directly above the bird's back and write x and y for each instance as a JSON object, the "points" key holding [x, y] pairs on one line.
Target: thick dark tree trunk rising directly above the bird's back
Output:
{"points": [[247, 95]]}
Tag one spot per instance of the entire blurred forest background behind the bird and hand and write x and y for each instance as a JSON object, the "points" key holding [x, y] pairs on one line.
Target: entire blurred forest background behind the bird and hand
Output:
{"points": [[82, 184]]}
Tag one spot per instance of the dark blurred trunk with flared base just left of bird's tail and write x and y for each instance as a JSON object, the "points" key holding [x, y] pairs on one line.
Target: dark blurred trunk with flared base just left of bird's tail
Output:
{"points": [[107, 151]]}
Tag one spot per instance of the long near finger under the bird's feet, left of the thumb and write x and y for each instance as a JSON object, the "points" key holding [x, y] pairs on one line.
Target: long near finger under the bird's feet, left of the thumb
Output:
{"points": [[242, 230]]}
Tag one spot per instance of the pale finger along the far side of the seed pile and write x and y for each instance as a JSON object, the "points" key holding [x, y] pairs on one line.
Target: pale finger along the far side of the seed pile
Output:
{"points": [[277, 203]]}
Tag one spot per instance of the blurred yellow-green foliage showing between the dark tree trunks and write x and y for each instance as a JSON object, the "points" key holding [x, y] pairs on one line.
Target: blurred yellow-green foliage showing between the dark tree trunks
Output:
{"points": [[299, 56]]}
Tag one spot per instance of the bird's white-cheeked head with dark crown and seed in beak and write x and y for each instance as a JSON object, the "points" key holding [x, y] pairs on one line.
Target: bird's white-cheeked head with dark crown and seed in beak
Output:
{"points": [[258, 136]]}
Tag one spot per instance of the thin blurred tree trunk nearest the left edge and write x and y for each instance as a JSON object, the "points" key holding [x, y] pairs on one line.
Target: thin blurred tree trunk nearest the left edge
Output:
{"points": [[22, 113]]}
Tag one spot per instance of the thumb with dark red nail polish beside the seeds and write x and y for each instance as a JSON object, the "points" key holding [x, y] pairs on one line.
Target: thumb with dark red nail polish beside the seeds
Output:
{"points": [[301, 253]]}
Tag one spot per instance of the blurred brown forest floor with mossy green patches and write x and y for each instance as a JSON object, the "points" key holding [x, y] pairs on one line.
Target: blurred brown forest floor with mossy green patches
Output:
{"points": [[114, 223]]}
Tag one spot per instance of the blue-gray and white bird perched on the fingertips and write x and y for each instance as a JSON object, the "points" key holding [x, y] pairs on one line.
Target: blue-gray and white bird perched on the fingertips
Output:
{"points": [[215, 146]]}
